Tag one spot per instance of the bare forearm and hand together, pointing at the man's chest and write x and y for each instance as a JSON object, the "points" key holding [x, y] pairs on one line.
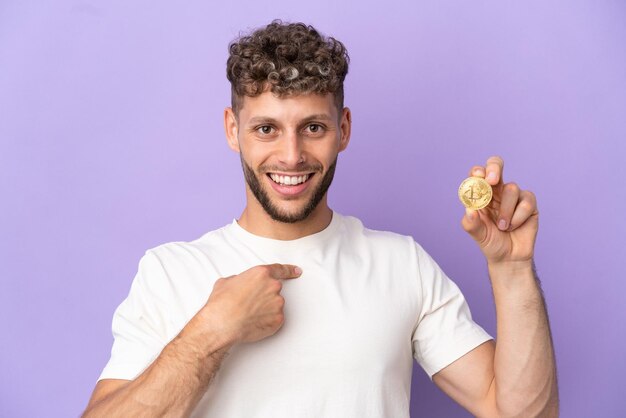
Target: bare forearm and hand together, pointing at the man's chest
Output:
{"points": [[243, 308]]}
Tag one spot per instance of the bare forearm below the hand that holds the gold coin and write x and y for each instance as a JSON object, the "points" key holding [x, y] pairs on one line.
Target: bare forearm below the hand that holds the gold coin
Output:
{"points": [[524, 365]]}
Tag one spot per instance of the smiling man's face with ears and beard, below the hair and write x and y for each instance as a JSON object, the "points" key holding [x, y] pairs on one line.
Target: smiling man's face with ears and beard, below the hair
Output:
{"points": [[288, 149]]}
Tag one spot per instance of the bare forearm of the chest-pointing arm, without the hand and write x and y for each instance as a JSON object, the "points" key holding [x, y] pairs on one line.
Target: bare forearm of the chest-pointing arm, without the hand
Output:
{"points": [[175, 382]]}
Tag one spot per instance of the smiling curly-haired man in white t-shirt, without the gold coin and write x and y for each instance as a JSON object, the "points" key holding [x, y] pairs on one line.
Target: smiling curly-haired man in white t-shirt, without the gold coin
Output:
{"points": [[294, 310]]}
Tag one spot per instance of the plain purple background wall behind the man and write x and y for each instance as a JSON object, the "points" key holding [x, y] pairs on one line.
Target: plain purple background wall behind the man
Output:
{"points": [[112, 143]]}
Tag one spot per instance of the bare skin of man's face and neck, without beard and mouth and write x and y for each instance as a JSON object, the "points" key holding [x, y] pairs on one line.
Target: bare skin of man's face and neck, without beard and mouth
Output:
{"points": [[288, 147]]}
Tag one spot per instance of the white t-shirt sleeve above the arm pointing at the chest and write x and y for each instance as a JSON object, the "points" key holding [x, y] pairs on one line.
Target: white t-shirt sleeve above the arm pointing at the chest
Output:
{"points": [[138, 329]]}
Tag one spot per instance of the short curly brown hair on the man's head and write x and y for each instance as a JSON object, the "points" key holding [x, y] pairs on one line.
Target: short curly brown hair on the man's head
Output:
{"points": [[287, 59]]}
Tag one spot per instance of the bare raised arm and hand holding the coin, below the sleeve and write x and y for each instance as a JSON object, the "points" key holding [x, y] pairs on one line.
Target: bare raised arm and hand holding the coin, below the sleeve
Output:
{"points": [[517, 375]]}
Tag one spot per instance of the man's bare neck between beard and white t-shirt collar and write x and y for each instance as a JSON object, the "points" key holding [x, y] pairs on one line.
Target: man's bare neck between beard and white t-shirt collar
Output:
{"points": [[255, 220]]}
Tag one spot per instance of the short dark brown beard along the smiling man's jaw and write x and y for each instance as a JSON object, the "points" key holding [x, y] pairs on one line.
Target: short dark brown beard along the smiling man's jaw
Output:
{"points": [[275, 212]]}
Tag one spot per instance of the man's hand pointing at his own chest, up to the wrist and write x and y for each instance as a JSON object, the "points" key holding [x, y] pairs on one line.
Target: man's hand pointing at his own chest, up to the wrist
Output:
{"points": [[249, 306]]}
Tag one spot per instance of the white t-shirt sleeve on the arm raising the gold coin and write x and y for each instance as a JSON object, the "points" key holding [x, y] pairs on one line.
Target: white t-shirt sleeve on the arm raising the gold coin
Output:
{"points": [[445, 330]]}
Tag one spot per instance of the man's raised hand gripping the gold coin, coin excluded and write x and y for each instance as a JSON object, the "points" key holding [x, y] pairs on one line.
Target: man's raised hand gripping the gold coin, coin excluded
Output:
{"points": [[506, 229]]}
